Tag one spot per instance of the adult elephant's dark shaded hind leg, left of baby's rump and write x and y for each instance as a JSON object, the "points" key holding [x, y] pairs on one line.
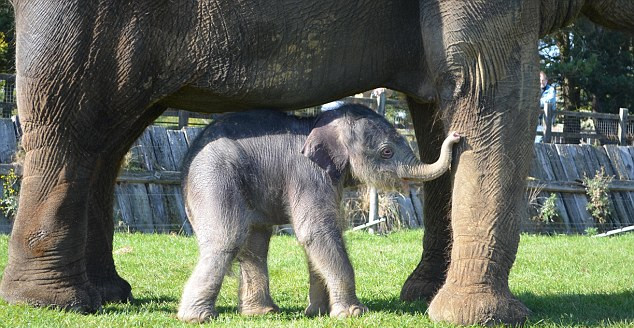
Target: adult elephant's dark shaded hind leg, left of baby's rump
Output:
{"points": [[100, 265]]}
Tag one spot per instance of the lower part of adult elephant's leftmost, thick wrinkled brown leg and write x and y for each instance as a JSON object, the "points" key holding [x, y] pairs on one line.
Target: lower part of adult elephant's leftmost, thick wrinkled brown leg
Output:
{"points": [[46, 264]]}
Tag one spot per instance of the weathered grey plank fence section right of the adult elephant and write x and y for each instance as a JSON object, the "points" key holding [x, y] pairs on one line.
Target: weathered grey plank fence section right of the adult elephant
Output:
{"points": [[560, 169]]}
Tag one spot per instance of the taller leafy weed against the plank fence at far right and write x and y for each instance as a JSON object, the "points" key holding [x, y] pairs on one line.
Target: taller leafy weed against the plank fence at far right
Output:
{"points": [[598, 199]]}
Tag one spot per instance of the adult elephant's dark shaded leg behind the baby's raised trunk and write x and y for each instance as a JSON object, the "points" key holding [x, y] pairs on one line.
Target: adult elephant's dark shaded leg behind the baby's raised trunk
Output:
{"points": [[430, 273]]}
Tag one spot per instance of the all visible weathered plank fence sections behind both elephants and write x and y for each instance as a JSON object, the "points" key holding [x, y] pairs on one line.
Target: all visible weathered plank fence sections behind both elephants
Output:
{"points": [[148, 196]]}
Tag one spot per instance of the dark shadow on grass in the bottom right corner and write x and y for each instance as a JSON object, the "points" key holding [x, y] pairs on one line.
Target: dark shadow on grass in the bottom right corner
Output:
{"points": [[580, 309]]}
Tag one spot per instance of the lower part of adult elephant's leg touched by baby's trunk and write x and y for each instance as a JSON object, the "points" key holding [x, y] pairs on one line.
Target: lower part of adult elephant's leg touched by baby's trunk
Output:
{"points": [[485, 222]]}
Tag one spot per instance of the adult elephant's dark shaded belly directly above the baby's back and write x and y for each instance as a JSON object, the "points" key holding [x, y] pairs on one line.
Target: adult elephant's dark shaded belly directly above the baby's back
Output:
{"points": [[290, 83]]}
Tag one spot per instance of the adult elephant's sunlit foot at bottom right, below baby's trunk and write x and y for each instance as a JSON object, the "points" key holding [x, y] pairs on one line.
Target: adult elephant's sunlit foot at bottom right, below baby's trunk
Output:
{"points": [[465, 306]]}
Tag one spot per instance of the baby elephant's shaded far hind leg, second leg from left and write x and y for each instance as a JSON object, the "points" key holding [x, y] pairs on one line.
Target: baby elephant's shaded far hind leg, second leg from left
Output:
{"points": [[255, 297]]}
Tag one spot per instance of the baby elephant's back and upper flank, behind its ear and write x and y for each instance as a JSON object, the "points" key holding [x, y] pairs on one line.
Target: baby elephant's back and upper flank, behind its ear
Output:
{"points": [[253, 151]]}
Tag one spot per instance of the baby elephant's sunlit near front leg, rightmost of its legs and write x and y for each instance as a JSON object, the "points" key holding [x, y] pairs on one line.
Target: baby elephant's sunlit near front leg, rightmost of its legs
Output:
{"points": [[324, 246]]}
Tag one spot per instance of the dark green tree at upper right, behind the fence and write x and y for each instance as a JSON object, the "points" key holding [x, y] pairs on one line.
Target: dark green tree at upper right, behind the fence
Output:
{"points": [[594, 67]]}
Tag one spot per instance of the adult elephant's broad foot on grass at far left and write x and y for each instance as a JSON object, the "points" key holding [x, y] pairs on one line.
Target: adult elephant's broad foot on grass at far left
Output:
{"points": [[80, 296]]}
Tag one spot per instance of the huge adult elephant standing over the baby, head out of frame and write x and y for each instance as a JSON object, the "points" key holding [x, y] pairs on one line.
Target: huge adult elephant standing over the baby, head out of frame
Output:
{"points": [[92, 75]]}
